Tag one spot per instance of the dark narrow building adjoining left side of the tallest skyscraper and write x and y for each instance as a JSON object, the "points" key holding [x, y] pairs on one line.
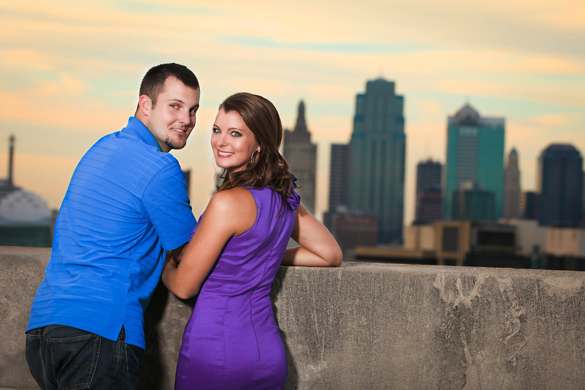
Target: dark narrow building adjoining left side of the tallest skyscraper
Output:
{"points": [[338, 177]]}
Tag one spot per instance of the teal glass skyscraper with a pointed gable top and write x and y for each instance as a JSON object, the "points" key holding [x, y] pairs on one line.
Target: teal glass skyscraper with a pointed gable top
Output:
{"points": [[475, 156]]}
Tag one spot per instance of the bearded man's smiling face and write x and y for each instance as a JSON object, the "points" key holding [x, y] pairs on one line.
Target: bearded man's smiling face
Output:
{"points": [[172, 119]]}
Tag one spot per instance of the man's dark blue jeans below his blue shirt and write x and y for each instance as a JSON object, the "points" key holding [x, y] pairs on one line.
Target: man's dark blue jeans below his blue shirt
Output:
{"points": [[65, 358]]}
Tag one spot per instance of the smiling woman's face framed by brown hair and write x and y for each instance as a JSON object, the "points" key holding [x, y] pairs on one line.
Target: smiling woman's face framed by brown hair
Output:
{"points": [[232, 141]]}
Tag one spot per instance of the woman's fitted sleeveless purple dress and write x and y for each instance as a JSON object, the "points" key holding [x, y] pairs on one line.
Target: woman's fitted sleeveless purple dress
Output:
{"points": [[231, 340]]}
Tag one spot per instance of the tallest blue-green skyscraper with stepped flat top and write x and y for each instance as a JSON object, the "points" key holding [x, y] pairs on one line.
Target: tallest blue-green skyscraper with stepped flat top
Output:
{"points": [[377, 152]]}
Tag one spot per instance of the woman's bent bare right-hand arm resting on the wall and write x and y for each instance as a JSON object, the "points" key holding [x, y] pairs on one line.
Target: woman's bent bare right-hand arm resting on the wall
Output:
{"points": [[317, 247]]}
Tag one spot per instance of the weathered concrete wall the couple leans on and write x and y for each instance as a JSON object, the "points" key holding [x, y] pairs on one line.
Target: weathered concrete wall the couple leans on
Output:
{"points": [[369, 326]]}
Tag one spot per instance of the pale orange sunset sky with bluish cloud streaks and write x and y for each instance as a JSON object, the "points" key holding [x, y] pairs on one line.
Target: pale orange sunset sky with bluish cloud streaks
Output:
{"points": [[70, 73]]}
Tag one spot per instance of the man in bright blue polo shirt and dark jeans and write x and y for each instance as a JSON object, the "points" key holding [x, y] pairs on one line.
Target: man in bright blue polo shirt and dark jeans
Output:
{"points": [[126, 204]]}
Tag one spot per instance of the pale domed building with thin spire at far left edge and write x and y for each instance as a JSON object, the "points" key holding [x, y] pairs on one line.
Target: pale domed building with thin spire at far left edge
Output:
{"points": [[25, 219]]}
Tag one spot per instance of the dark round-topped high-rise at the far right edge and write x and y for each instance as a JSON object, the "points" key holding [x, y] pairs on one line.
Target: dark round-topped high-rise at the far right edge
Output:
{"points": [[560, 186]]}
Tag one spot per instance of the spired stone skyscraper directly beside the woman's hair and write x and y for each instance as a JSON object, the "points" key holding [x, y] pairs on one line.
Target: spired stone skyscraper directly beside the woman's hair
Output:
{"points": [[301, 156]]}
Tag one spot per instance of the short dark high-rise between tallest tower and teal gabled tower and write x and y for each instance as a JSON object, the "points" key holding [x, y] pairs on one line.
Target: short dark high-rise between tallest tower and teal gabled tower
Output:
{"points": [[429, 199]]}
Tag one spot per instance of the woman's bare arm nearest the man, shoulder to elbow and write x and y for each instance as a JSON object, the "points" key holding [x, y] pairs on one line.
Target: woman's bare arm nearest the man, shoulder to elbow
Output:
{"points": [[229, 213]]}
